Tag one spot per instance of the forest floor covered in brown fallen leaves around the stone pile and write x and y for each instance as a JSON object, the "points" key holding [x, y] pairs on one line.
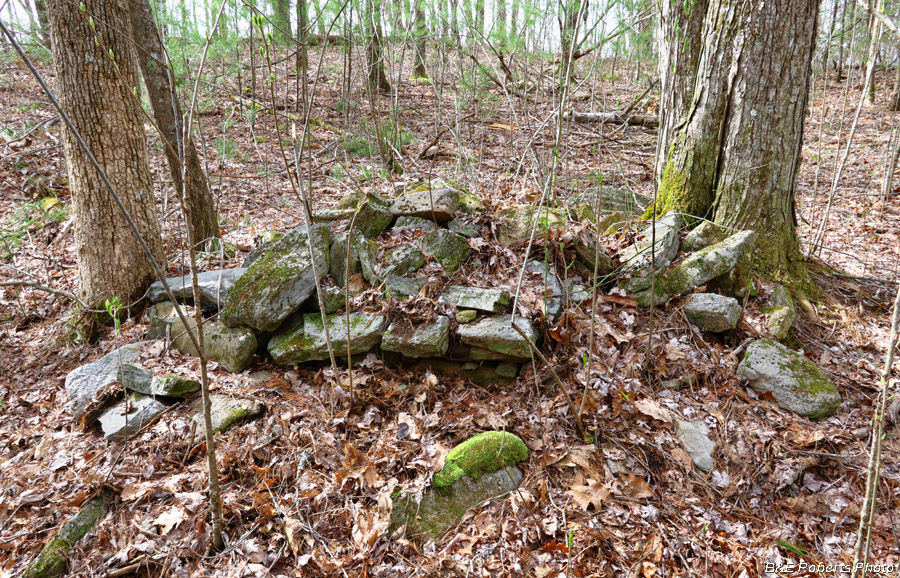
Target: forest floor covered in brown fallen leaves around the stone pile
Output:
{"points": [[301, 485]]}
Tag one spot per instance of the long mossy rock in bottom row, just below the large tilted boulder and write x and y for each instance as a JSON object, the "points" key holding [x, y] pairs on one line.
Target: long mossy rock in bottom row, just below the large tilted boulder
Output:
{"points": [[306, 340]]}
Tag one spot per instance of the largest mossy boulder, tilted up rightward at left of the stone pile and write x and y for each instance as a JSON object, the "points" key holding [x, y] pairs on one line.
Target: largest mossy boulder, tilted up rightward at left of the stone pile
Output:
{"points": [[277, 283]]}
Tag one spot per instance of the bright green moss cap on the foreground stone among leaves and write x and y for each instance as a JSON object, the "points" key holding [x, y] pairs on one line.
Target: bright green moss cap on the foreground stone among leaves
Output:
{"points": [[482, 454]]}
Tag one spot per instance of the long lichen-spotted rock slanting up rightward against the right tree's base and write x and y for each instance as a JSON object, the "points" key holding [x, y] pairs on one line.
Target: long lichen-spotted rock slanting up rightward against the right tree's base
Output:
{"points": [[696, 270]]}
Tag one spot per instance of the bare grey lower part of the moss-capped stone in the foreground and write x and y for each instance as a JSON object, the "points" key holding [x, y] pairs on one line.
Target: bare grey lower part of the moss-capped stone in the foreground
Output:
{"points": [[442, 508]]}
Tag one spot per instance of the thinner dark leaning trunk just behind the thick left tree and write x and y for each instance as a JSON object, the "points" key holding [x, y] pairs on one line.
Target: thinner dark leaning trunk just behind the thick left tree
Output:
{"points": [[168, 115]]}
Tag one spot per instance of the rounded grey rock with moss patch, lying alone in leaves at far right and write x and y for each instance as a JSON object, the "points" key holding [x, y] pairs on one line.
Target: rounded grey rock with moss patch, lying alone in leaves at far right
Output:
{"points": [[796, 383]]}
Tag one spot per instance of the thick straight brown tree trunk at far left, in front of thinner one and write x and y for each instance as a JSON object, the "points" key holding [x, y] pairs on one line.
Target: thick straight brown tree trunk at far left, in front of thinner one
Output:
{"points": [[97, 95]]}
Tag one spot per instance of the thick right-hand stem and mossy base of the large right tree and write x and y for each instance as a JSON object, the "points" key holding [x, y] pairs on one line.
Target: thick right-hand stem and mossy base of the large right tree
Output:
{"points": [[734, 155]]}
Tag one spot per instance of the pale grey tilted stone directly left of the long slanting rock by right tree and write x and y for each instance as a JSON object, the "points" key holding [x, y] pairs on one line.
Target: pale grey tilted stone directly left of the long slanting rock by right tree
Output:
{"points": [[644, 260]]}
